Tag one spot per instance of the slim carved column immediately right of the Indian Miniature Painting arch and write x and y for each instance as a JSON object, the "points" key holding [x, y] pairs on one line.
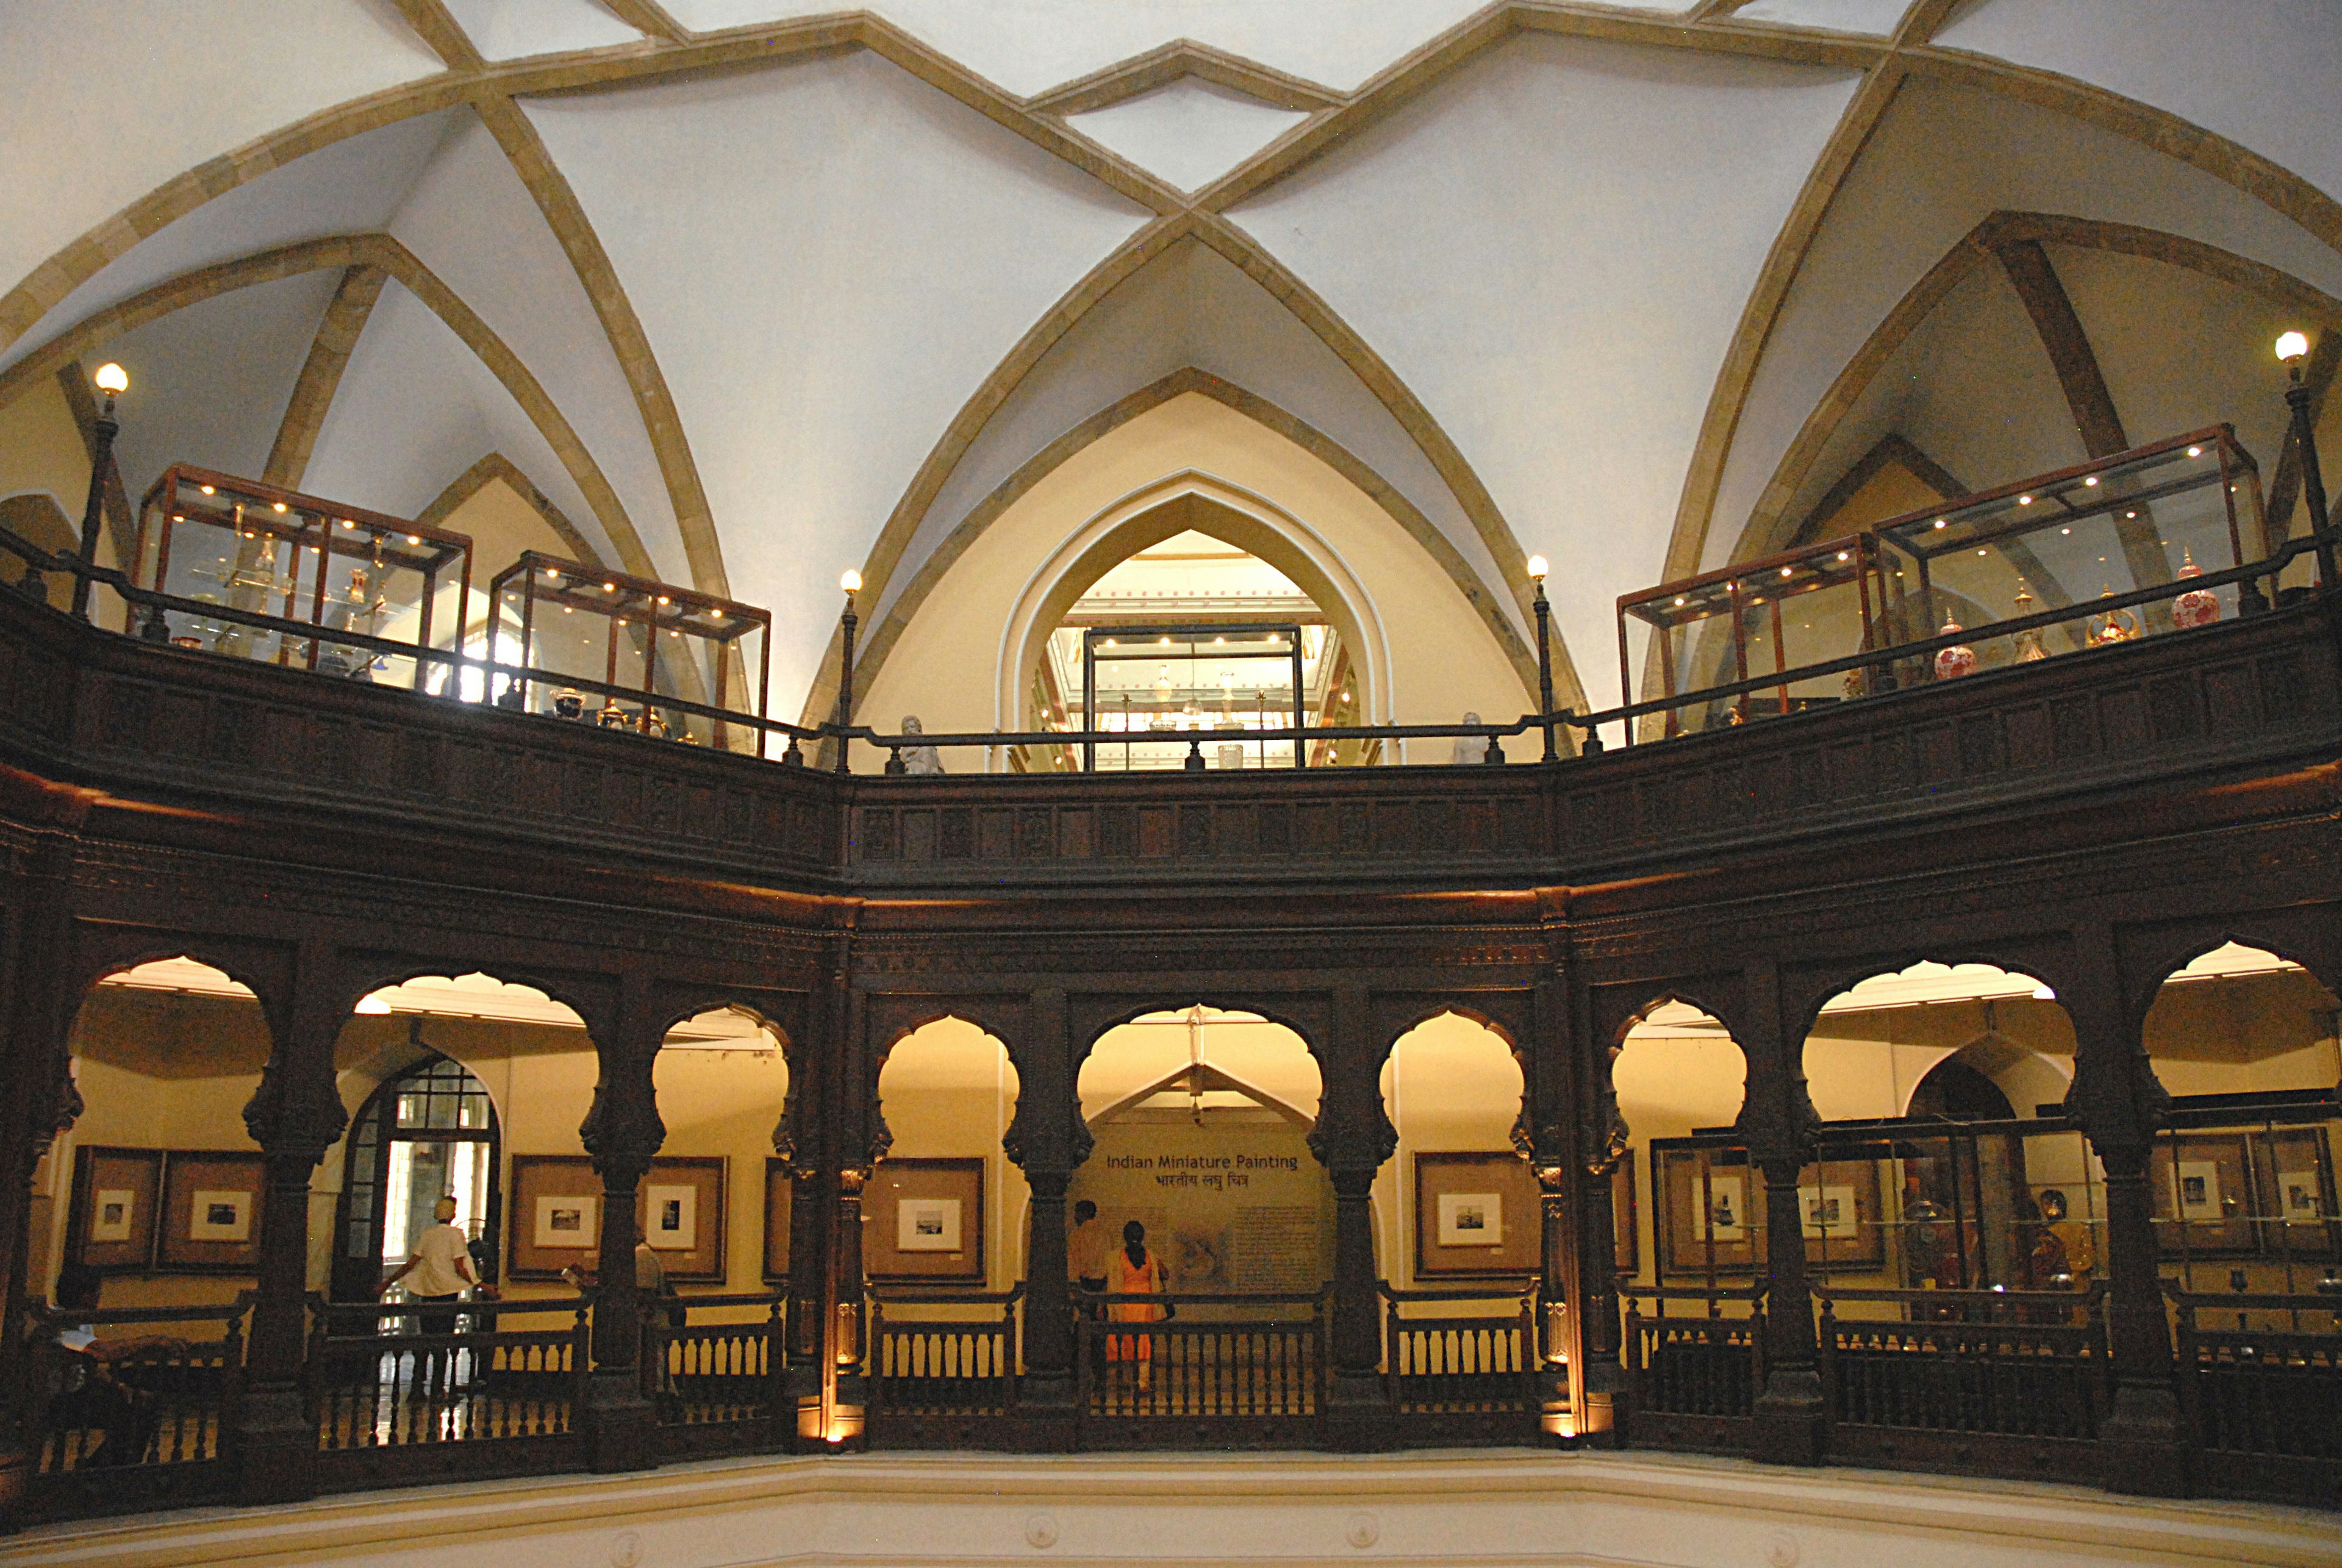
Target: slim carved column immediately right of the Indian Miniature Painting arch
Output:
{"points": [[1353, 1141]]}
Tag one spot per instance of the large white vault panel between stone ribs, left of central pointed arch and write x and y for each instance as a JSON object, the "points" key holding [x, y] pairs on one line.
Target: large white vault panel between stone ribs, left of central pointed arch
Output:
{"points": [[847, 343]]}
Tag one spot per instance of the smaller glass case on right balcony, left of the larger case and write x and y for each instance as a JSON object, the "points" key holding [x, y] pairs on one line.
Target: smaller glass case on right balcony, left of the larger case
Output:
{"points": [[1802, 607]]}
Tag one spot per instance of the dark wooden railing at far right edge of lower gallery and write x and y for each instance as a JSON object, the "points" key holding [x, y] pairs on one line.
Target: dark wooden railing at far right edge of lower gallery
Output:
{"points": [[2264, 1398]]}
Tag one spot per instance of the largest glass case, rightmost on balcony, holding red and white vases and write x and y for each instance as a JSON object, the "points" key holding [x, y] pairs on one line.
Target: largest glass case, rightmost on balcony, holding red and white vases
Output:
{"points": [[2144, 518]]}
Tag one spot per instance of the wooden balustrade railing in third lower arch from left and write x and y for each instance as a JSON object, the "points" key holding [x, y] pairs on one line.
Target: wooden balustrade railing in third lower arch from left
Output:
{"points": [[720, 1380]]}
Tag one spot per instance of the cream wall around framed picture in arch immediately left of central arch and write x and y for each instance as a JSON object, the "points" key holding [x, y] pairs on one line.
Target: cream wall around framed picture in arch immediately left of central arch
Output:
{"points": [[950, 1092]]}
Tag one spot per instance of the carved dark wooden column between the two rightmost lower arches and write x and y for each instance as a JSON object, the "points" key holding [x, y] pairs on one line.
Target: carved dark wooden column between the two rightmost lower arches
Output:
{"points": [[2121, 1103]]}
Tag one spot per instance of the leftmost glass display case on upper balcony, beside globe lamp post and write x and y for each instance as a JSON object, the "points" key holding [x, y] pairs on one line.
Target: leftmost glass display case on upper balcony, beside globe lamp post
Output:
{"points": [[249, 546]]}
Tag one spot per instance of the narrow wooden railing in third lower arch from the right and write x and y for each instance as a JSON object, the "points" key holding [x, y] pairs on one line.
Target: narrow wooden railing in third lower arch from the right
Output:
{"points": [[1694, 1377]]}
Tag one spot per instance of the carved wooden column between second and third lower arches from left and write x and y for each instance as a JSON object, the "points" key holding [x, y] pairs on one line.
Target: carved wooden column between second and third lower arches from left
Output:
{"points": [[622, 1134]]}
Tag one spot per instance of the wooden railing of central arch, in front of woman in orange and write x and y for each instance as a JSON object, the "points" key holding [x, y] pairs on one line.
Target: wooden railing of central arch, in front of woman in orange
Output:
{"points": [[1240, 1361]]}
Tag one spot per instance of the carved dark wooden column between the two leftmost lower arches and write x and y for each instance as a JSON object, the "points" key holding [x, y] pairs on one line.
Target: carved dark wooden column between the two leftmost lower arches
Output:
{"points": [[296, 1115]]}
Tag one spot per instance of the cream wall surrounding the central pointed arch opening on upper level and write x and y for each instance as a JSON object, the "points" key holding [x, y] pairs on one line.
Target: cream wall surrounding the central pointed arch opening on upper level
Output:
{"points": [[947, 666]]}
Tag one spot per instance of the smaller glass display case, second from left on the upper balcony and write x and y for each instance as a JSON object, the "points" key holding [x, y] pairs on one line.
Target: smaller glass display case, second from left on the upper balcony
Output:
{"points": [[563, 626]]}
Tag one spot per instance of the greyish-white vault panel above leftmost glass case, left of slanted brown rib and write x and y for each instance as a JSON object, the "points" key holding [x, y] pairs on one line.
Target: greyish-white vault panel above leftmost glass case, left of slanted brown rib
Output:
{"points": [[210, 383]]}
